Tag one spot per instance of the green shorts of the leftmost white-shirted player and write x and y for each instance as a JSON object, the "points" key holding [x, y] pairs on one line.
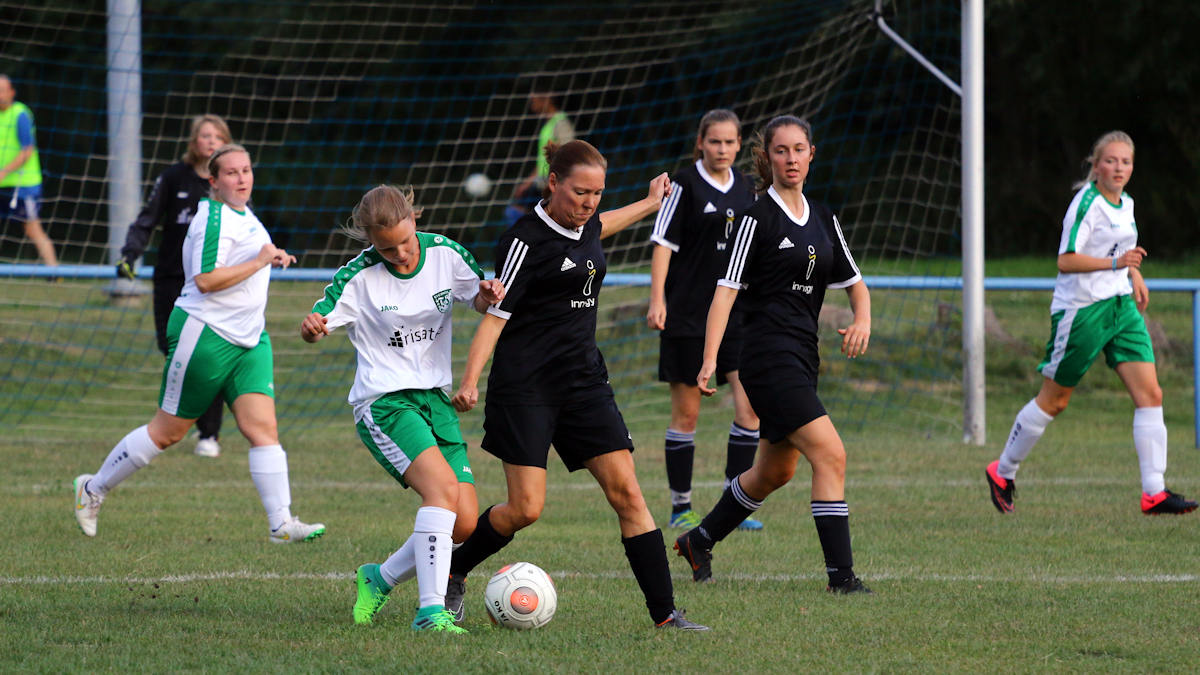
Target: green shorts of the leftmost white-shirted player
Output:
{"points": [[202, 366]]}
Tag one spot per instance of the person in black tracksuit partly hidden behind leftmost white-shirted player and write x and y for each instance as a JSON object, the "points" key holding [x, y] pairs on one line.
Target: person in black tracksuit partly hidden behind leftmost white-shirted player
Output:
{"points": [[172, 204]]}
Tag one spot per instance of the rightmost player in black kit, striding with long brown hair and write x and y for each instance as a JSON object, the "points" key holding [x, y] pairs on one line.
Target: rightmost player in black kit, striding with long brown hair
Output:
{"points": [[787, 254]]}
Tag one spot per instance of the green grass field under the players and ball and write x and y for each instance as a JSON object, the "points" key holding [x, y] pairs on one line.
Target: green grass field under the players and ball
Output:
{"points": [[182, 576]]}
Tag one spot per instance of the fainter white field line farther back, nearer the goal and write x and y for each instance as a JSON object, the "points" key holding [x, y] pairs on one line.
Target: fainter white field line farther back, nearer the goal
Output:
{"points": [[376, 486]]}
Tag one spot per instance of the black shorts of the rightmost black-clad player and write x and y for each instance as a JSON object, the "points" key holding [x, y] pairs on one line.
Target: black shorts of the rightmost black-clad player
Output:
{"points": [[784, 398]]}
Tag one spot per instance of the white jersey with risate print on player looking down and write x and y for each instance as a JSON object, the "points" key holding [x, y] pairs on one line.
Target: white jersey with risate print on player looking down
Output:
{"points": [[400, 324]]}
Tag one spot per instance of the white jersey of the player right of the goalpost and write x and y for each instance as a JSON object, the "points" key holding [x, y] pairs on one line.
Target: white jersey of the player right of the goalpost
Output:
{"points": [[1095, 228]]}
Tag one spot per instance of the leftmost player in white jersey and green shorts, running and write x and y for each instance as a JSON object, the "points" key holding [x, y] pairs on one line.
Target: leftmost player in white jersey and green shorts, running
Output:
{"points": [[218, 348]]}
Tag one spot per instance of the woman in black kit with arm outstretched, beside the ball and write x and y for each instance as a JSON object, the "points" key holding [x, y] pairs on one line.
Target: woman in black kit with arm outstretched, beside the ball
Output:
{"points": [[549, 383]]}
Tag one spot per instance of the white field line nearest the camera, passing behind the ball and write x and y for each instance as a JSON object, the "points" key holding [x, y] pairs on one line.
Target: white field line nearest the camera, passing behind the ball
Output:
{"points": [[914, 576]]}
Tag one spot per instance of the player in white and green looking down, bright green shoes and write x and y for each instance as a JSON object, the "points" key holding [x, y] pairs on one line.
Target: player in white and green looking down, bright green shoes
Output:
{"points": [[395, 301]]}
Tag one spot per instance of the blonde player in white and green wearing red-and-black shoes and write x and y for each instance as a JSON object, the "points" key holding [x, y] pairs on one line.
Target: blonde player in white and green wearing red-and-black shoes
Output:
{"points": [[1096, 306]]}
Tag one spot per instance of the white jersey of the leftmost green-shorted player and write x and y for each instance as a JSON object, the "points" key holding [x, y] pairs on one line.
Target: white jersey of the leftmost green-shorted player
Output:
{"points": [[223, 237]]}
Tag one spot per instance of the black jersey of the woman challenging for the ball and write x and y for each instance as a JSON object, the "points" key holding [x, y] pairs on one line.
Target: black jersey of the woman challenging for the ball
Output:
{"points": [[553, 280]]}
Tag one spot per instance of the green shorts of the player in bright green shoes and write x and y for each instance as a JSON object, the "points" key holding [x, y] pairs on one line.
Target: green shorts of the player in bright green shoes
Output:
{"points": [[401, 426]]}
